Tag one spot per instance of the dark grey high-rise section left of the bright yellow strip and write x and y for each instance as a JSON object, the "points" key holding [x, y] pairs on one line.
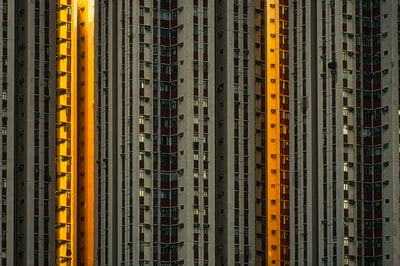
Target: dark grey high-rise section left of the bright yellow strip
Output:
{"points": [[28, 136]]}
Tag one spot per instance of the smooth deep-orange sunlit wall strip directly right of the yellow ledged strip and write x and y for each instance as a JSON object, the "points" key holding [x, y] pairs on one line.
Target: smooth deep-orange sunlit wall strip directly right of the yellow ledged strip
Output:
{"points": [[85, 136]]}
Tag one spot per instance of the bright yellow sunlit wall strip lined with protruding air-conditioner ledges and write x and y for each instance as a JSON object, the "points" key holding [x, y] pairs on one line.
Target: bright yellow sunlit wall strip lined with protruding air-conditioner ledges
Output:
{"points": [[65, 138]]}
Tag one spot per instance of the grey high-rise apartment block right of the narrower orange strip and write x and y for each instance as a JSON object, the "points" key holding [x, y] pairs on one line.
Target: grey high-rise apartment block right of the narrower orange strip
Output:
{"points": [[344, 155]]}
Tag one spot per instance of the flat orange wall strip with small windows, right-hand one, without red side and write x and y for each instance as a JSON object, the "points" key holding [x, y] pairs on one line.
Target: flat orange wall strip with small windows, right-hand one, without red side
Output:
{"points": [[272, 130]]}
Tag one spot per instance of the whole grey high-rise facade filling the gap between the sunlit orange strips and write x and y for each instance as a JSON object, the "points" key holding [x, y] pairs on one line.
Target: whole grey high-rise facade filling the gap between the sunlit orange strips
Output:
{"points": [[174, 127]]}
